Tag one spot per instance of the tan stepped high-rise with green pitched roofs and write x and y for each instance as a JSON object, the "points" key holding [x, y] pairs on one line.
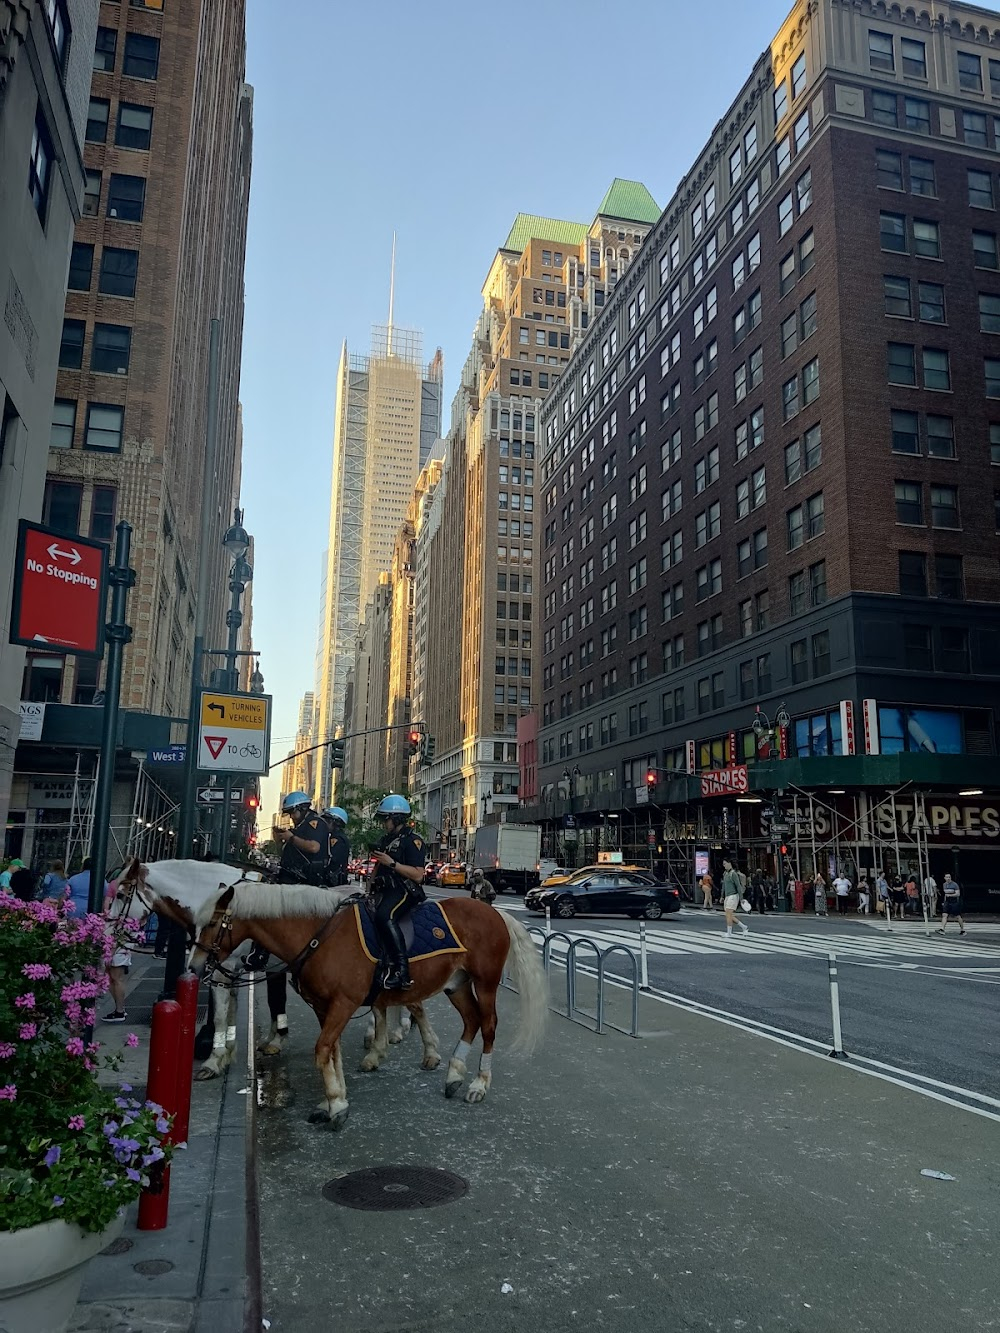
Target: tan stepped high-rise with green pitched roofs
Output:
{"points": [[549, 282]]}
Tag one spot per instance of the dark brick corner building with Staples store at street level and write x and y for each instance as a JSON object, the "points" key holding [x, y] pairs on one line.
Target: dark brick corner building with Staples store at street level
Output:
{"points": [[783, 438]]}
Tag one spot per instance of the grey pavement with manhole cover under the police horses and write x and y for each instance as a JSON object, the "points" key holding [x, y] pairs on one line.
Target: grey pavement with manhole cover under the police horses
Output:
{"points": [[697, 1179]]}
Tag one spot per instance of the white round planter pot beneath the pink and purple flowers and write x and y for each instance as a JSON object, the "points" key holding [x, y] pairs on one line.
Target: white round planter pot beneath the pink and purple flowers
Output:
{"points": [[42, 1270]]}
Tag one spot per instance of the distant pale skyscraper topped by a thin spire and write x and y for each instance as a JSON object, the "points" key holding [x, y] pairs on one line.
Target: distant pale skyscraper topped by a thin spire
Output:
{"points": [[389, 414]]}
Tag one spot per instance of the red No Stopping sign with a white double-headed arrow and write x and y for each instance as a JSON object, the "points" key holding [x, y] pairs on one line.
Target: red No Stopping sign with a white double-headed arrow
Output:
{"points": [[59, 593]]}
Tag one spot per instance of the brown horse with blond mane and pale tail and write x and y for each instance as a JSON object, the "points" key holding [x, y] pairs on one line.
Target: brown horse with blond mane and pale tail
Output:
{"points": [[299, 924]]}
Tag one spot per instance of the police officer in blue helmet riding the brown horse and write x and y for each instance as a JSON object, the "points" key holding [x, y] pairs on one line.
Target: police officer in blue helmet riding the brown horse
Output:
{"points": [[398, 884]]}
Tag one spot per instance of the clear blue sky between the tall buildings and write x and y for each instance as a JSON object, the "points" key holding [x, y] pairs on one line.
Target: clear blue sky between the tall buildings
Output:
{"points": [[441, 122]]}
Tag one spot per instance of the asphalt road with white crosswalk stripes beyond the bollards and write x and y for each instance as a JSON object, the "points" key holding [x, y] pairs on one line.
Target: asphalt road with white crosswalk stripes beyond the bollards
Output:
{"points": [[927, 1006]]}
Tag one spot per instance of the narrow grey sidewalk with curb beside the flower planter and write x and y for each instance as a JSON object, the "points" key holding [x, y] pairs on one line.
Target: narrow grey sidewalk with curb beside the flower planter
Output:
{"points": [[190, 1278]]}
